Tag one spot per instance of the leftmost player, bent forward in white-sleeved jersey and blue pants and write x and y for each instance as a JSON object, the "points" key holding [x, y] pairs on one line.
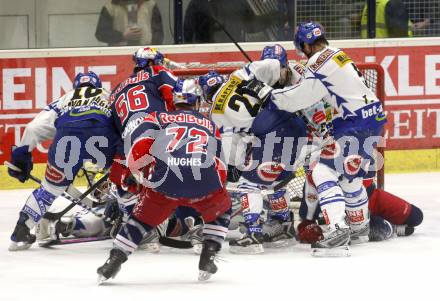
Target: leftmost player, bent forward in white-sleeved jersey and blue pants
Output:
{"points": [[81, 128]]}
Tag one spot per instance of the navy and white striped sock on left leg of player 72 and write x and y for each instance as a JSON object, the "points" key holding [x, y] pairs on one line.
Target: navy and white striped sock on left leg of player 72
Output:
{"points": [[130, 235]]}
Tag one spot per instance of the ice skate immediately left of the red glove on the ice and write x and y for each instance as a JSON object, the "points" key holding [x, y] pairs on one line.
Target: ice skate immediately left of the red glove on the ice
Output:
{"points": [[278, 233]]}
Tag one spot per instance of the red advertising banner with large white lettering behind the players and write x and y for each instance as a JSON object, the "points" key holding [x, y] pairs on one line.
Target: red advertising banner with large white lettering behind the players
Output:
{"points": [[412, 84]]}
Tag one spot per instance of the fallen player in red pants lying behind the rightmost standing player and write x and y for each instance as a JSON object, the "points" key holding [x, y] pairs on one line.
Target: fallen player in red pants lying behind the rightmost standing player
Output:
{"points": [[389, 215]]}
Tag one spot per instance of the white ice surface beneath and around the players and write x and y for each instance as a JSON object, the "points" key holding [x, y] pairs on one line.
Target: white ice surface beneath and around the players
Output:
{"points": [[405, 268]]}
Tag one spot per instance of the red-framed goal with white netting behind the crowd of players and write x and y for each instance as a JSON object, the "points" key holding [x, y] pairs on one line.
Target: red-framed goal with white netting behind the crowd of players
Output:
{"points": [[374, 76]]}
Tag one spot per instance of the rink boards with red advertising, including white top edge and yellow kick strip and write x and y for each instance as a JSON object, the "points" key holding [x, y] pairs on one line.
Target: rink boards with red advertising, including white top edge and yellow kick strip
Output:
{"points": [[29, 79]]}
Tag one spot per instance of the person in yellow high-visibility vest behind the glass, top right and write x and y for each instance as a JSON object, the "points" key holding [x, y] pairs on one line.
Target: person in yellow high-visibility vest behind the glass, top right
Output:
{"points": [[392, 20]]}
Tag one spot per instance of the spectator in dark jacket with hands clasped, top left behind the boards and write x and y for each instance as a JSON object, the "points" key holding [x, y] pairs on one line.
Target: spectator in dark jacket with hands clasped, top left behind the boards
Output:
{"points": [[130, 22]]}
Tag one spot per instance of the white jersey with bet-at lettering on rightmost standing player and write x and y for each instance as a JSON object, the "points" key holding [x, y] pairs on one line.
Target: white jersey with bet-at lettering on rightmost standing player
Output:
{"points": [[333, 77]]}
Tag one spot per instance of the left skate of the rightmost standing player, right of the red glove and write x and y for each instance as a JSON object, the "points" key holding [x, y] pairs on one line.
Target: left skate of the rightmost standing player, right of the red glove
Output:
{"points": [[334, 244]]}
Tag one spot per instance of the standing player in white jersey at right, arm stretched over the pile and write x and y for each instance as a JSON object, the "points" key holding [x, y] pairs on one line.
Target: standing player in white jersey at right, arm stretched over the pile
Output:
{"points": [[331, 75]]}
